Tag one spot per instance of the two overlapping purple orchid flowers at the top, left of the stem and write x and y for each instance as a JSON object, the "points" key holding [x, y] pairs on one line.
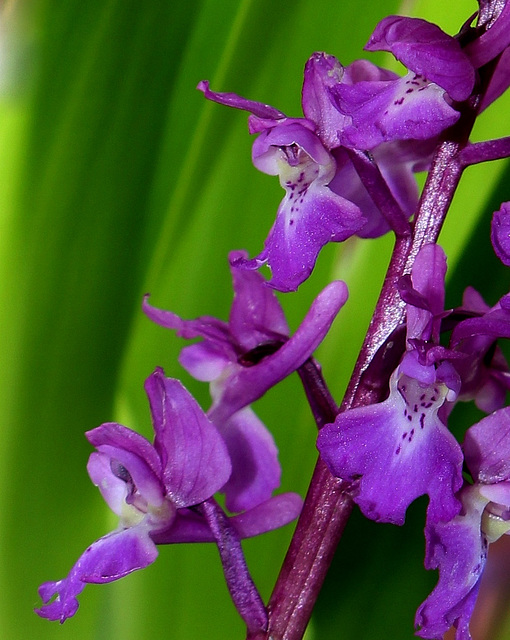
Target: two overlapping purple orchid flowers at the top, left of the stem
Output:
{"points": [[396, 120]]}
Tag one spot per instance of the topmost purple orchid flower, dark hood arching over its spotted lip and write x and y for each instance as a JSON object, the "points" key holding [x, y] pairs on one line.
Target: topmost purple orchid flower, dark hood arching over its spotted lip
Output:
{"points": [[416, 106]]}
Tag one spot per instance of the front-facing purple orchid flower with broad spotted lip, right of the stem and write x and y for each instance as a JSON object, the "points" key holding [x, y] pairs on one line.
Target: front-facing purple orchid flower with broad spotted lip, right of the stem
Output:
{"points": [[399, 449]]}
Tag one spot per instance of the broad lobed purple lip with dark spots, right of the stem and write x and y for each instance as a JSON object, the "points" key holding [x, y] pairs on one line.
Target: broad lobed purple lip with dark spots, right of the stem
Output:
{"points": [[396, 451]]}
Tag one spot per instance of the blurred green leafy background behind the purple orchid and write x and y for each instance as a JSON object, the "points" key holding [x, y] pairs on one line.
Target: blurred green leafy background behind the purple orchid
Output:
{"points": [[117, 178]]}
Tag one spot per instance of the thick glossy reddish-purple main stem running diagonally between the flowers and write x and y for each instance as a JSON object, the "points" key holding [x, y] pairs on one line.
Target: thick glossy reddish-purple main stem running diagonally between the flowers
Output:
{"points": [[328, 504]]}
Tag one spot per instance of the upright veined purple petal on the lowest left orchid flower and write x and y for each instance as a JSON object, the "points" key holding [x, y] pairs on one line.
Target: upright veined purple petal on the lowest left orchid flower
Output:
{"points": [[194, 457]]}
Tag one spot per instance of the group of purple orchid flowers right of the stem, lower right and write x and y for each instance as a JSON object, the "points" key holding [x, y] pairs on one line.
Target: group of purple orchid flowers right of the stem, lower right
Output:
{"points": [[399, 449]]}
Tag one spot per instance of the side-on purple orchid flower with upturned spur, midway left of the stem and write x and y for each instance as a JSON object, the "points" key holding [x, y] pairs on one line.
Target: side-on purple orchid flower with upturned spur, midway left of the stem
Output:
{"points": [[244, 358]]}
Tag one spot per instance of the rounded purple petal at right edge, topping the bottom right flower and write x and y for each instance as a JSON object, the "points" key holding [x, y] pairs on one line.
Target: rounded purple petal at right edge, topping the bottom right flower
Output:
{"points": [[487, 447]]}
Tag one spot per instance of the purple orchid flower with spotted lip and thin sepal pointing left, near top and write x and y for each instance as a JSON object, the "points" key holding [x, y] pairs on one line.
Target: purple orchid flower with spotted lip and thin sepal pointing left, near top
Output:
{"points": [[325, 199]]}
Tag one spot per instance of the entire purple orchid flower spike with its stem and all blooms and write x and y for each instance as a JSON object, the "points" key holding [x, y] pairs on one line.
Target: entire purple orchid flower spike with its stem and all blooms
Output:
{"points": [[348, 169]]}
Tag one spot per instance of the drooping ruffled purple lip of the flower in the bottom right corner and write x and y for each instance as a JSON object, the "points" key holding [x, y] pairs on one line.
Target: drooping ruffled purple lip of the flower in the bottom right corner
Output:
{"points": [[458, 549]]}
